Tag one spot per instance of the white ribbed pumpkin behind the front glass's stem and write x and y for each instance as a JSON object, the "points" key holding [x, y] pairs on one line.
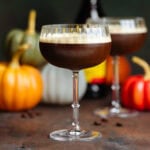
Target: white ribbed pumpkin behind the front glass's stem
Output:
{"points": [[58, 85]]}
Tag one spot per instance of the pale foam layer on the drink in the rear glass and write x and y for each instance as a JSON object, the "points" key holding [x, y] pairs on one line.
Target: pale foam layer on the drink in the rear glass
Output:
{"points": [[123, 29]]}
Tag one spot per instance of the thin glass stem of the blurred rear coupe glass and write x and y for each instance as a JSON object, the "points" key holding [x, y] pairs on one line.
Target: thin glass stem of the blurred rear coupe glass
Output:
{"points": [[115, 85]]}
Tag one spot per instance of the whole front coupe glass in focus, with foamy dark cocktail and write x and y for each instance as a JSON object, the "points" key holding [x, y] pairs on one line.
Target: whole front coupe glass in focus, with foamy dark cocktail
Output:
{"points": [[75, 47]]}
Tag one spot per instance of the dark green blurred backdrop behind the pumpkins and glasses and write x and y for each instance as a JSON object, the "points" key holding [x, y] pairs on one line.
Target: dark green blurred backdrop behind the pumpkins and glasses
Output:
{"points": [[14, 14]]}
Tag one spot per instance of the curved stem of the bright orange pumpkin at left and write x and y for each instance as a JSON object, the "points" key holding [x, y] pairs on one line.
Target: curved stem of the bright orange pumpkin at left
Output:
{"points": [[17, 55]]}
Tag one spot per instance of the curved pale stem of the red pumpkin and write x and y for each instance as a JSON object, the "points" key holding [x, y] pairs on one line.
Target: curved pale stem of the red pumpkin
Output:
{"points": [[144, 65]]}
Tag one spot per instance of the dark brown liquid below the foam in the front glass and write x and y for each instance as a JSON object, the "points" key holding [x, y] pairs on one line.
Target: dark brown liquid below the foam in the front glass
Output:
{"points": [[75, 56]]}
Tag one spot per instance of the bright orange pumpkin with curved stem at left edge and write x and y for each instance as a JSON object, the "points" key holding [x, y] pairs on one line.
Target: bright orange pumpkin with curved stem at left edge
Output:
{"points": [[20, 85]]}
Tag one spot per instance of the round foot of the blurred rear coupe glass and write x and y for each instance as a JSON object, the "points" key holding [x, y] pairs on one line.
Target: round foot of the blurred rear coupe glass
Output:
{"points": [[115, 112]]}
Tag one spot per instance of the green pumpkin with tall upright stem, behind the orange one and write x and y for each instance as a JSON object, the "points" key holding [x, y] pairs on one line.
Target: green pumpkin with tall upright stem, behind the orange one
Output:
{"points": [[16, 37]]}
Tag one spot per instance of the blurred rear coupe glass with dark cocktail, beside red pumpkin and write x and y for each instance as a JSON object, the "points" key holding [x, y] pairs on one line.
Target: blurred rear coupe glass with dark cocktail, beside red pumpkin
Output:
{"points": [[128, 35]]}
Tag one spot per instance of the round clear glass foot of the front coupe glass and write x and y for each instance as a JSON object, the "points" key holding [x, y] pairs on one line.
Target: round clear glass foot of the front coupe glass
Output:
{"points": [[71, 135]]}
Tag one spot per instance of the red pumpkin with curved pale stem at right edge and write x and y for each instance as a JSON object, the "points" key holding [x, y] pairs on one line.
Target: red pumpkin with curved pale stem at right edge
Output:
{"points": [[135, 93]]}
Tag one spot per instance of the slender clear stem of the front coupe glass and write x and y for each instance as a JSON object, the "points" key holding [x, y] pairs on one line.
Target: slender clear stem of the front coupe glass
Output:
{"points": [[75, 105]]}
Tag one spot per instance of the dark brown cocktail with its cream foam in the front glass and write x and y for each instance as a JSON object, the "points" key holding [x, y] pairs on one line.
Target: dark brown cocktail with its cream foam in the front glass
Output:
{"points": [[75, 51]]}
